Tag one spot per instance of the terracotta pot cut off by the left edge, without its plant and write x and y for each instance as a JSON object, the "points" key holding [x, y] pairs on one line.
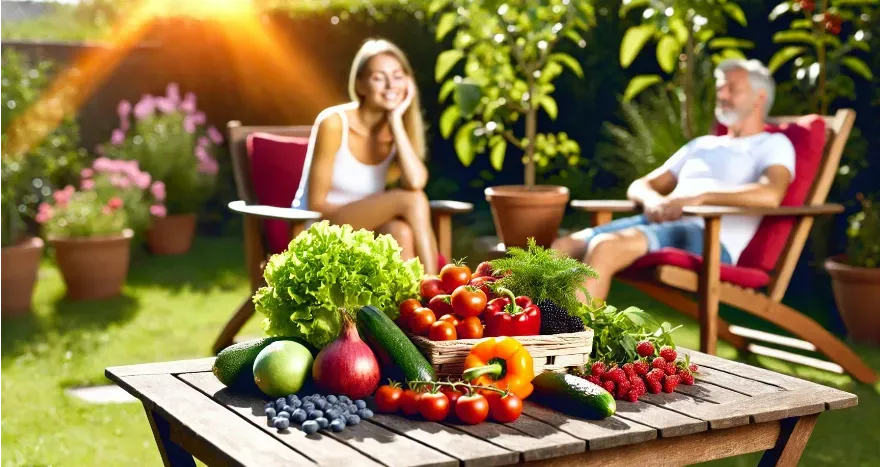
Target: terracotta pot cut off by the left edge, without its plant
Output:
{"points": [[18, 275]]}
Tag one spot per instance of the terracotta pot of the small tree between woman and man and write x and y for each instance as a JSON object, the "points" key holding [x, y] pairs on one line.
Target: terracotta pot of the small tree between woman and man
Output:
{"points": [[520, 212]]}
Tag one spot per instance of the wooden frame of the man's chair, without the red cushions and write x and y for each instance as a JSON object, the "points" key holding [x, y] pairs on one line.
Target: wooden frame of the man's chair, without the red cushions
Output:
{"points": [[674, 285]]}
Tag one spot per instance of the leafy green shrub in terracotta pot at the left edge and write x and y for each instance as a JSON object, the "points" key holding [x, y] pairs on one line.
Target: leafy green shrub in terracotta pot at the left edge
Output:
{"points": [[34, 157]]}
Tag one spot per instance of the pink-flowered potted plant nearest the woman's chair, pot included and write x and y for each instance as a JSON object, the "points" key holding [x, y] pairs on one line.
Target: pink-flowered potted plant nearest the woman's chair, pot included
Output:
{"points": [[169, 138]]}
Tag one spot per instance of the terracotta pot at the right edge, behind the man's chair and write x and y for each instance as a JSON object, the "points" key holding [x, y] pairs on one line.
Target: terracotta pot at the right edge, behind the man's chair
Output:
{"points": [[857, 294]]}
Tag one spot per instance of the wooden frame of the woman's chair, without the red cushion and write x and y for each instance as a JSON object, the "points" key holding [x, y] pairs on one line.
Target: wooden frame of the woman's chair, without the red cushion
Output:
{"points": [[256, 246]]}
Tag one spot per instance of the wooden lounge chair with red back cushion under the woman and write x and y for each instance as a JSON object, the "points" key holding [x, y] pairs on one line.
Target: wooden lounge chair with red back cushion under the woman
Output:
{"points": [[268, 227]]}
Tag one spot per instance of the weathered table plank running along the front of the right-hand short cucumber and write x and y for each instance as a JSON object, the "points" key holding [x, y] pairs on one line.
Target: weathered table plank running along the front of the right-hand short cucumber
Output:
{"points": [[599, 434]]}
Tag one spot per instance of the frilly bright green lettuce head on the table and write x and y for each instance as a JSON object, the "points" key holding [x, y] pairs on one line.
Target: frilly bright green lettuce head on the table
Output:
{"points": [[329, 268]]}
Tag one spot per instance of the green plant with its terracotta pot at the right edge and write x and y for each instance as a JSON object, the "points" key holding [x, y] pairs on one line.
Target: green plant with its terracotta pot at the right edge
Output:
{"points": [[855, 275]]}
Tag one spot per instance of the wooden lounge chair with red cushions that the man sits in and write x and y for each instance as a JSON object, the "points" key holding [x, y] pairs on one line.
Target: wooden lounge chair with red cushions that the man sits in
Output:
{"points": [[757, 283]]}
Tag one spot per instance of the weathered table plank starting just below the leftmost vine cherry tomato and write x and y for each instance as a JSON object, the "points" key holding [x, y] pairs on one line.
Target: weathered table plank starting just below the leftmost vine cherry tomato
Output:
{"points": [[471, 451]]}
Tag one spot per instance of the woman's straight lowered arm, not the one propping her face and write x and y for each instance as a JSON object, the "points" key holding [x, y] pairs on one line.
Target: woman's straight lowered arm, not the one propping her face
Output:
{"points": [[327, 141]]}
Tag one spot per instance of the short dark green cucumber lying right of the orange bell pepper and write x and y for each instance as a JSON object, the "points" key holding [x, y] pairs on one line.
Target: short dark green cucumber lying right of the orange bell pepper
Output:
{"points": [[573, 395]]}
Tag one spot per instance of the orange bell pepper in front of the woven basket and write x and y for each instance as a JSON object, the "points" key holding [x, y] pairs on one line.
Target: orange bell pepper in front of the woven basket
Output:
{"points": [[501, 362]]}
